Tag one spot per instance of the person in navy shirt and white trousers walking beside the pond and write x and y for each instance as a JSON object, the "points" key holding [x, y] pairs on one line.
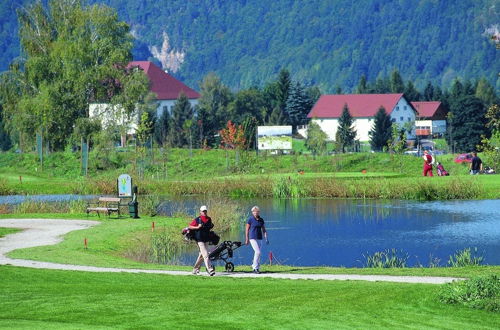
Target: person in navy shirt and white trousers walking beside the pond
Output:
{"points": [[255, 230]]}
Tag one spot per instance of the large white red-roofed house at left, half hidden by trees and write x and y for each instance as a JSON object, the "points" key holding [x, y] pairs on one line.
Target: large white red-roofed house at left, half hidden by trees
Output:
{"points": [[166, 88]]}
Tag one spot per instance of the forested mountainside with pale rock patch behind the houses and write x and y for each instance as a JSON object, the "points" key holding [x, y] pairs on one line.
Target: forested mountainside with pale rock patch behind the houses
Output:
{"points": [[321, 42]]}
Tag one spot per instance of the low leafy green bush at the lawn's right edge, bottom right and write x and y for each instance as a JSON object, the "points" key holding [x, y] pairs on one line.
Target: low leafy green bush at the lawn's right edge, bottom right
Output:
{"points": [[479, 292]]}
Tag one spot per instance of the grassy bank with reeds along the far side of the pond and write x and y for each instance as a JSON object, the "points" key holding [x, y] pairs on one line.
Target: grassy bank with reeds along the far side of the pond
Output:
{"points": [[362, 175]]}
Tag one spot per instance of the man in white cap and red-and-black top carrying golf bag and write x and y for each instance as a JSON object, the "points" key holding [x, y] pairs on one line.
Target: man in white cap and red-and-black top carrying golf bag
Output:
{"points": [[201, 227]]}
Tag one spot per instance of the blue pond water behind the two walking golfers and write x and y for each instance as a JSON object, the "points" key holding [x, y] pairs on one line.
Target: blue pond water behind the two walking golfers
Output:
{"points": [[317, 232]]}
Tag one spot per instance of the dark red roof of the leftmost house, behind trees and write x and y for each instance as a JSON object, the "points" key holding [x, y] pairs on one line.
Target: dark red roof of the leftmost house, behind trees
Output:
{"points": [[164, 85]]}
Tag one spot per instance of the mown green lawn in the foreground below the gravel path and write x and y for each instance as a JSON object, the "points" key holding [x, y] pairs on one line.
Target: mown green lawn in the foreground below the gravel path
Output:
{"points": [[62, 299]]}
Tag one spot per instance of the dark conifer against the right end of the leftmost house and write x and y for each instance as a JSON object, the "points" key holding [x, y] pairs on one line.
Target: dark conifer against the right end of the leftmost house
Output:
{"points": [[181, 112]]}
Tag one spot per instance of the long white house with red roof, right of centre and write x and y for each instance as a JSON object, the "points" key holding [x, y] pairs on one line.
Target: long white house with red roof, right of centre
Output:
{"points": [[362, 107]]}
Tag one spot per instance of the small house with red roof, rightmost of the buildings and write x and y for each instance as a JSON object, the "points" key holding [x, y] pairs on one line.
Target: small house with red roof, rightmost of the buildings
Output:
{"points": [[431, 119]]}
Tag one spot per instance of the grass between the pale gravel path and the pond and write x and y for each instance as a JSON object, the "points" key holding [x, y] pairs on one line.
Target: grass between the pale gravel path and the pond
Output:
{"points": [[116, 243]]}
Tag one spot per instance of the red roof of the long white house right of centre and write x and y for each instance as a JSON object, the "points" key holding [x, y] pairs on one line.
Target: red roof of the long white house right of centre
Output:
{"points": [[360, 105]]}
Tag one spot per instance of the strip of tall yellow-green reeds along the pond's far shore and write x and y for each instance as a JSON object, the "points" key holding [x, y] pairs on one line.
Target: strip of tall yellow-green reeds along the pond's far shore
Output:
{"points": [[296, 187]]}
